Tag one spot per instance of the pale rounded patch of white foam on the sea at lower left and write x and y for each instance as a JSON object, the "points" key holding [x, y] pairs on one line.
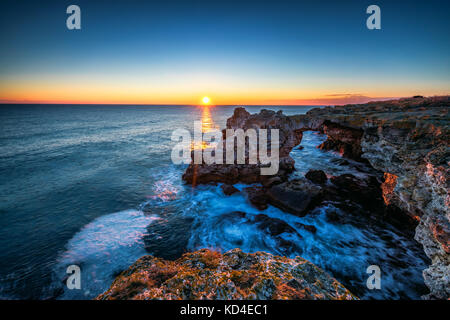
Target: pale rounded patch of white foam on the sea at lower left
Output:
{"points": [[104, 247]]}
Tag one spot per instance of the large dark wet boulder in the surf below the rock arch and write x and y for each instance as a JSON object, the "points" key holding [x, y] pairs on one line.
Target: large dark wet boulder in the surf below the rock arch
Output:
{"points": [[296, 196]]}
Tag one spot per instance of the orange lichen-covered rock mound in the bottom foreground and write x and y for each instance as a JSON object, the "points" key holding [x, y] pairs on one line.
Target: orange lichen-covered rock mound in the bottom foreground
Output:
{"points": [[206, 274]]}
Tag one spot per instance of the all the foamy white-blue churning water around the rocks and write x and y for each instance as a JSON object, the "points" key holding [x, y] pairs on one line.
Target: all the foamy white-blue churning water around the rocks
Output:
{"points": [[344, 250]]}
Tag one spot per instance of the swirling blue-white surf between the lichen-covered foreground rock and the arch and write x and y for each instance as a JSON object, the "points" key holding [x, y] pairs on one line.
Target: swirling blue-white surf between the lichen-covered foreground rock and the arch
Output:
{"points": [[343, 249]]}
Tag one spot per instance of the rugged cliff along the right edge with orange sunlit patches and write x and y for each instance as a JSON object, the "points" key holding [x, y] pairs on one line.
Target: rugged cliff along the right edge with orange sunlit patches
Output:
{"points": [[409, 140]]}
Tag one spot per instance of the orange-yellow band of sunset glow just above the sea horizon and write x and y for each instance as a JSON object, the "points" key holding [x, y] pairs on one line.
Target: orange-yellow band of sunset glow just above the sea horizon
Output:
{"points": [[84, 92]]}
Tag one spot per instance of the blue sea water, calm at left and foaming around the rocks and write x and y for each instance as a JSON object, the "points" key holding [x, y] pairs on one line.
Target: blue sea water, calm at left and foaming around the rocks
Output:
{"points": [[95, 186]]}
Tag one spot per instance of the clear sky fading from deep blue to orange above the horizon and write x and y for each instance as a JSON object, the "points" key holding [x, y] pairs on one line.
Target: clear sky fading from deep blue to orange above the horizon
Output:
{"points": [[235, 52]]}
